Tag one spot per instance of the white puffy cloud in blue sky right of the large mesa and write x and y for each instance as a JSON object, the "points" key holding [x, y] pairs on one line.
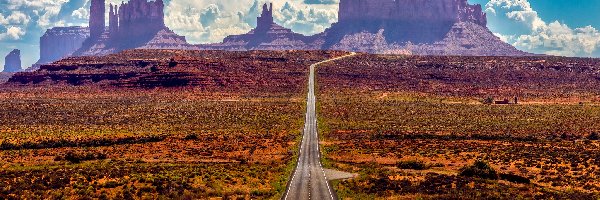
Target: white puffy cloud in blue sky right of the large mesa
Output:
{"points": [[554, 38]]}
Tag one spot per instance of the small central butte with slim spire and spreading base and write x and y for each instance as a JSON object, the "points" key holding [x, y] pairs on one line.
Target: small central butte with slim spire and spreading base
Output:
{"points": [[266, 36]]}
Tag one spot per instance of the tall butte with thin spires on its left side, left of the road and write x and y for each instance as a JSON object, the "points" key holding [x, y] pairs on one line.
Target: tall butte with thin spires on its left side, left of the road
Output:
{"points": [[136, 24]]}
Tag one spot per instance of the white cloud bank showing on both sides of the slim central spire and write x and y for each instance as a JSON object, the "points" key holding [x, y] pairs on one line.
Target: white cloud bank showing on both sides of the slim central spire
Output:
{"points": [[208, 21]]}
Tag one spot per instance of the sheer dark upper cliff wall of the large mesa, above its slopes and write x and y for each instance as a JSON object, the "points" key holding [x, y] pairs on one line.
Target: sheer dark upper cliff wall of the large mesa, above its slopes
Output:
{"points": [[415, 21]]}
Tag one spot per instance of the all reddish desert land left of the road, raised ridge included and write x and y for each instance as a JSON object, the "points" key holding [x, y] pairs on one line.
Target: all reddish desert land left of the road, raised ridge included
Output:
{"points": [[109, 140]]}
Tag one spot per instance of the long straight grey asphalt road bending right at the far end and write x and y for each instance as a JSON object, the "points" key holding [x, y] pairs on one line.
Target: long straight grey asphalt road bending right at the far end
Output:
{"points": [[309, 180]]}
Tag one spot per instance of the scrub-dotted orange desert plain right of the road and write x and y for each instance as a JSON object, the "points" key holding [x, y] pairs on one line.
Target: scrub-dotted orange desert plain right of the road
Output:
{"points": [[420, 127]]}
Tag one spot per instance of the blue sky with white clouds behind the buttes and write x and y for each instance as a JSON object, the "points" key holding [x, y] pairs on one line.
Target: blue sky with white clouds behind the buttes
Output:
{"points": [[555, 27]]}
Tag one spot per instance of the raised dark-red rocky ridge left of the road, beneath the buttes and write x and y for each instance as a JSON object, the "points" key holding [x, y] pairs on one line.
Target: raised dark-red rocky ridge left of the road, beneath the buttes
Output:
{"points": [[213, 70]]}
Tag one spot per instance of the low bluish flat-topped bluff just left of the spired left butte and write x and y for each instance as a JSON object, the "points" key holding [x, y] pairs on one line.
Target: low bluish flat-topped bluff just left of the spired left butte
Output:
{"points": [[61, 42]]}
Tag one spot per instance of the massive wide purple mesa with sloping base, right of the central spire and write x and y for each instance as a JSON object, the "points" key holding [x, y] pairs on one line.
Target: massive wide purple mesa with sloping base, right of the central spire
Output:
{"points": [[423, 27]]}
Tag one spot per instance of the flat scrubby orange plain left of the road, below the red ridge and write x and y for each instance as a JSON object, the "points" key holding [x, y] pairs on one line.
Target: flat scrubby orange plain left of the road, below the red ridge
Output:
{"points": [[197, 145]]}
